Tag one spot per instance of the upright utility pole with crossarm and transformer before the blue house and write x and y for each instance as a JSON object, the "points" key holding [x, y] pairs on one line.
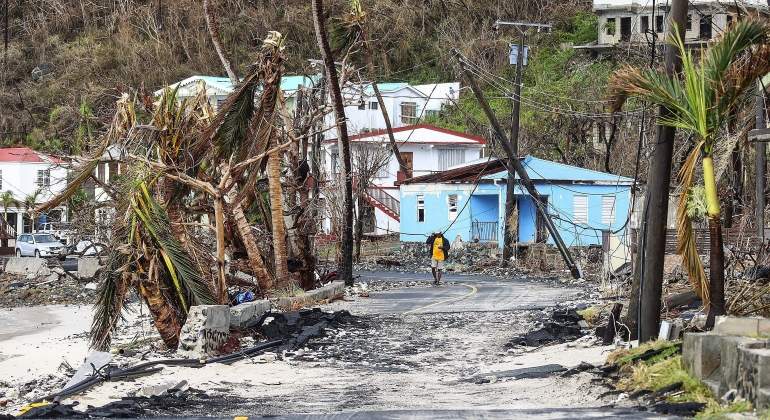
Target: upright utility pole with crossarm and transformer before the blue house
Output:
{"points": [[510, 196]]}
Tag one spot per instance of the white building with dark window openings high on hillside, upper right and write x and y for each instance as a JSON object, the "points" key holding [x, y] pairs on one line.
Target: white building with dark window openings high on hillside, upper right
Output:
{"points": [[635, 21]]}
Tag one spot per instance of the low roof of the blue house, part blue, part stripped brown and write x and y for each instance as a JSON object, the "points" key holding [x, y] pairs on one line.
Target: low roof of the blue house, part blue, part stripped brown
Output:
{"points": [[537, 169]]}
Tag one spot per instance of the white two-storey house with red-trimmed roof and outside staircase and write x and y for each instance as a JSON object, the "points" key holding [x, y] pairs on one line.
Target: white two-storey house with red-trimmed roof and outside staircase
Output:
{"points": [[425, 149]]}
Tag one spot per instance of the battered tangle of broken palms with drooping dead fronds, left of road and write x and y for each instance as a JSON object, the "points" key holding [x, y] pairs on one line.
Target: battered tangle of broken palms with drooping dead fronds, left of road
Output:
{"points": [[188, 178]]}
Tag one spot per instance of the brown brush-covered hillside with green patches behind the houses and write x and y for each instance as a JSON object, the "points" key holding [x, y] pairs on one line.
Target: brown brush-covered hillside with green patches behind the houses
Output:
{"points": [[67, 62]]}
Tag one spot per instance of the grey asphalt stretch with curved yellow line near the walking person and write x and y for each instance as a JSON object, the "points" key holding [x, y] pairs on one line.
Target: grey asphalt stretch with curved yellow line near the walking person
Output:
{"points": [[460, 294]]}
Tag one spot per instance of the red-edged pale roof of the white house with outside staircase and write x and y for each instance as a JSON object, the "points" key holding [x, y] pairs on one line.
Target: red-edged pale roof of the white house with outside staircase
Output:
{"points": [[418, 133]]}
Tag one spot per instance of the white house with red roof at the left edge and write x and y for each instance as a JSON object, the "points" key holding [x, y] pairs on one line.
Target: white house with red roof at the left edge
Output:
{"points": [[26, 173]]}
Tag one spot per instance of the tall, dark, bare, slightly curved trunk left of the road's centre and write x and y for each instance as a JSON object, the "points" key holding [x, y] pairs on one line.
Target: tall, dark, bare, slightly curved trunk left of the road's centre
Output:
{"points": [[346, 268]]}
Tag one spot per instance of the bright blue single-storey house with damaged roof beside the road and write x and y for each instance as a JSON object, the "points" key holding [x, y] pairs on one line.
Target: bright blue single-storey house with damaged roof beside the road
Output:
{"points": [[469, 202]]}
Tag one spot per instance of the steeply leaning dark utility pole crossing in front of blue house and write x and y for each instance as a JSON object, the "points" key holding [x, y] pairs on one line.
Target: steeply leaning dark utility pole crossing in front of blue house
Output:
{"points": [[514, 165]]}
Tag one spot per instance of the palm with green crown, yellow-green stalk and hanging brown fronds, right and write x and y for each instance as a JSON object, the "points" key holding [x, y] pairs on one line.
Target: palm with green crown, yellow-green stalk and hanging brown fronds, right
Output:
{"points": [[700, 103]]}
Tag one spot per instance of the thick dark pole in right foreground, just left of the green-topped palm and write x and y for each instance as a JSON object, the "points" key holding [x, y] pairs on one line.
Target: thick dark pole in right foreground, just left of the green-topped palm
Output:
{"points": [[656, 200]]}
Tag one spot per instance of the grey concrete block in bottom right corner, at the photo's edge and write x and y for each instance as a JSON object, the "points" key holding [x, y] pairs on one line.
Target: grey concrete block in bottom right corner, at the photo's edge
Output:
{"points": [[754, 374]]}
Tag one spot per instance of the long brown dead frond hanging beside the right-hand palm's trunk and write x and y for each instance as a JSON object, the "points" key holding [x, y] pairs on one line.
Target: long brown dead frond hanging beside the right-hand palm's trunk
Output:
{"points": [[687, 245]]}
